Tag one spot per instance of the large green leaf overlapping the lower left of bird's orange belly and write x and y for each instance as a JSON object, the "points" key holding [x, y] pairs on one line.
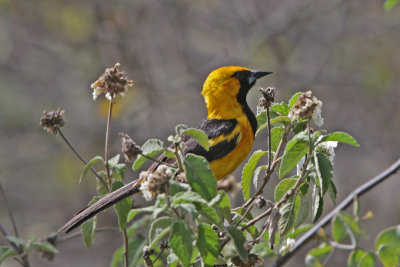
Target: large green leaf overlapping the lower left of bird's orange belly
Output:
{"points": [[200, 176]]}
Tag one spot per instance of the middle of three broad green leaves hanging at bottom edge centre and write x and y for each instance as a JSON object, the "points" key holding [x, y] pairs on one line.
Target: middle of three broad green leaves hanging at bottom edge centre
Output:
{"points": [[207, 243]]}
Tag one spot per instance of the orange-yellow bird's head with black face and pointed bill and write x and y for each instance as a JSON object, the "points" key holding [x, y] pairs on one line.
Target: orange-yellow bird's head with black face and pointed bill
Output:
{"points": [[229, 83]]}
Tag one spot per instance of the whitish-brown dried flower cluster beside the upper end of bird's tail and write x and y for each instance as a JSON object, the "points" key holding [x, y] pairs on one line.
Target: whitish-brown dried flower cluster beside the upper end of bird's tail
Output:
{"points": [[154, 182]]}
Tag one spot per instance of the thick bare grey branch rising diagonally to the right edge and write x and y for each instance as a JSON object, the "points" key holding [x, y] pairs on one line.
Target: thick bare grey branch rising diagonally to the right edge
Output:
{"points": [[359, 191]]}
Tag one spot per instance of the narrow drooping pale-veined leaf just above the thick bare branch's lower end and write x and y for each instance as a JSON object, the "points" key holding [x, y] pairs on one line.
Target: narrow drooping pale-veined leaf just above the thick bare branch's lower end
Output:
{"points": [[288, 214]]}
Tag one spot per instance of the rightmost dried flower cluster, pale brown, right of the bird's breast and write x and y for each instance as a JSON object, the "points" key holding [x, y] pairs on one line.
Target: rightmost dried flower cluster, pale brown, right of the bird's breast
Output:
{"points": [[307, 107]]}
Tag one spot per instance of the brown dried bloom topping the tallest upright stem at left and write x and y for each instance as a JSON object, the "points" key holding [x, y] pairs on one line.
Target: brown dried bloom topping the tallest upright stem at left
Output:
{"points": [[112, 82]]}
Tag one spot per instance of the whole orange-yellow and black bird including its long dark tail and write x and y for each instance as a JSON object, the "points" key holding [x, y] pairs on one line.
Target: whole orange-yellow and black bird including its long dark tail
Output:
{"points": [[230, 127]]}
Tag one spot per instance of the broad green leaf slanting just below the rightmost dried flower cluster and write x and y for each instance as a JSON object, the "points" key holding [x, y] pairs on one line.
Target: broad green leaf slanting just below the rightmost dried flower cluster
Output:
{"points": [[294, 151]]}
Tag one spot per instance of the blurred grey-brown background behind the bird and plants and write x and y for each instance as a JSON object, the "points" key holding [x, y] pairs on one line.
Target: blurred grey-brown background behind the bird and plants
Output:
{"points": [[346, 52]]}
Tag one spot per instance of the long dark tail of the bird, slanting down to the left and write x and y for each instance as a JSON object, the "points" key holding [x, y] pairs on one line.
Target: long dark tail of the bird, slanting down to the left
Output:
{"points": [[101, 204]]}
